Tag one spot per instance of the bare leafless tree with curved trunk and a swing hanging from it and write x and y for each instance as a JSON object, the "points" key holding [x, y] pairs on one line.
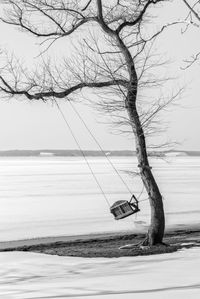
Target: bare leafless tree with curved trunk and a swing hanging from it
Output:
{"points": [[110, 56]]}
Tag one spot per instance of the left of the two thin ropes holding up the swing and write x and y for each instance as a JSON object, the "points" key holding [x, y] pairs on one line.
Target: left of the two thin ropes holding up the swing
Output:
{"points": [[82, 152]]}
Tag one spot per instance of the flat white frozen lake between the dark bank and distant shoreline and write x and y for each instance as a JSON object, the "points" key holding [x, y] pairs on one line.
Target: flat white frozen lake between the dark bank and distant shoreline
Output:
{"points": [[55, 196]]}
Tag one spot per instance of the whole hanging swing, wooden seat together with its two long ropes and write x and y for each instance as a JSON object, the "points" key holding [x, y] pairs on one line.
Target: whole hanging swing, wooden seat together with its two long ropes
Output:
{"points": [[121, 208]]}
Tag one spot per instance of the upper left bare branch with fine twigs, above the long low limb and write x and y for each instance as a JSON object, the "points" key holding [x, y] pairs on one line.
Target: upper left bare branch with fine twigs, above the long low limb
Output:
{"points": [[23, 10]]}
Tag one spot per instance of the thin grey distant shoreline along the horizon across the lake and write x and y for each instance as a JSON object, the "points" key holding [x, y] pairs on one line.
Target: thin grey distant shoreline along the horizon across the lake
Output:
{"points": [[92, 153]]}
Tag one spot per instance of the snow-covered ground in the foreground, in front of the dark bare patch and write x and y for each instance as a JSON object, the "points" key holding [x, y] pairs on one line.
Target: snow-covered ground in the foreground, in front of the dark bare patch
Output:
{"points": [[29, 275]]}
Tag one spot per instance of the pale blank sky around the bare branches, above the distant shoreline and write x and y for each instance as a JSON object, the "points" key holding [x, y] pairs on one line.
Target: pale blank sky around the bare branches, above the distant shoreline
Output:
{"points": [[25, 125]]}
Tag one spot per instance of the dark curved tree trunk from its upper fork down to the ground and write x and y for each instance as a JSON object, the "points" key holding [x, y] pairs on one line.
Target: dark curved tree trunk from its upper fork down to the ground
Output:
{"points": [[157, 226]]}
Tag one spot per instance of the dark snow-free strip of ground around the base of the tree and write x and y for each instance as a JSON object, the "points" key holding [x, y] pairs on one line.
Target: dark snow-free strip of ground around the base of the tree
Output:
{"points": [[106, 245]]}
